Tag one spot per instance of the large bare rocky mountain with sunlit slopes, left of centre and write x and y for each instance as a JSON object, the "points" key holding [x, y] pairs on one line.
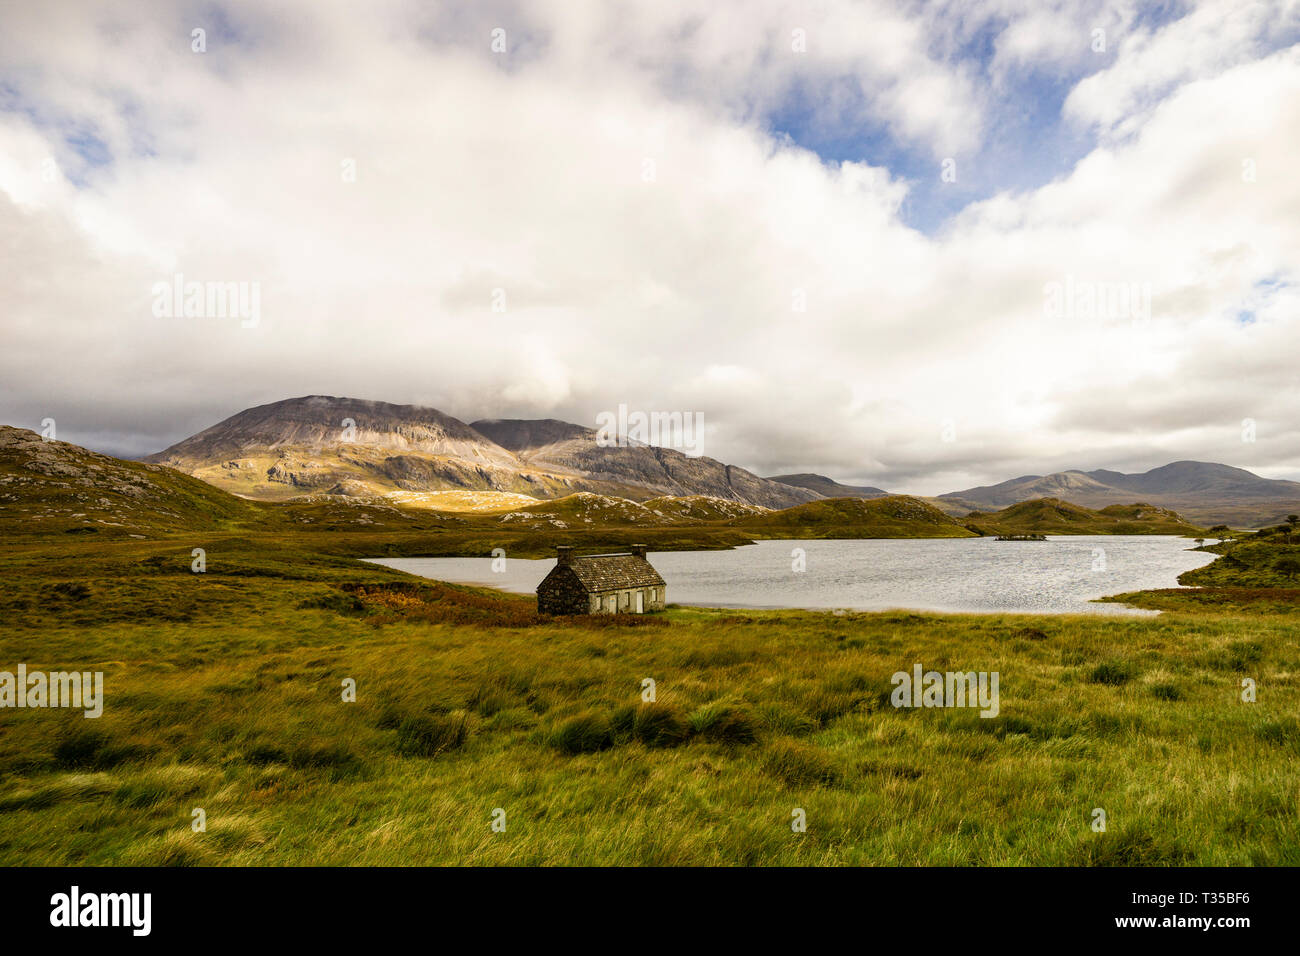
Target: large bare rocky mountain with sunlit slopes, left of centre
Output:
{"points": [[367, 449]]}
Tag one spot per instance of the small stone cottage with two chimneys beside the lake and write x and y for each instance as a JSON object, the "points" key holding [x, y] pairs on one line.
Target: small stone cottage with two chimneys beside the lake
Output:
{"points": [[601, 585]]}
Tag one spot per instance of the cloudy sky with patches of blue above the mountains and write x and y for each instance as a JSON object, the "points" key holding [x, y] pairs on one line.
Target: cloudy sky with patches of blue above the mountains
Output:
{"points": [[921, 246]]}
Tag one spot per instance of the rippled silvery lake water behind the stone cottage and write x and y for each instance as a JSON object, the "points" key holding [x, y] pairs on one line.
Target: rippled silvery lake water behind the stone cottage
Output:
{"points": [[1061, 576]]}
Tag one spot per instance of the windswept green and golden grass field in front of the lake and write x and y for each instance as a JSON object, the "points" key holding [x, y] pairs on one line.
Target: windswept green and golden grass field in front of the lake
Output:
{"points": [[224, 693]]}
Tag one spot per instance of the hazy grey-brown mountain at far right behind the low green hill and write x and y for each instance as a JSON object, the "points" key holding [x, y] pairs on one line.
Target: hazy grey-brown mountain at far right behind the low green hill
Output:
{"points": [[1202, 492]]}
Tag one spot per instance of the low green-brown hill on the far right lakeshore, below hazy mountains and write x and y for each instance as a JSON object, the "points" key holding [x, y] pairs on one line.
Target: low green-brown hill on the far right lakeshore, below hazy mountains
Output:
{"points": [[1056, 517]]}
